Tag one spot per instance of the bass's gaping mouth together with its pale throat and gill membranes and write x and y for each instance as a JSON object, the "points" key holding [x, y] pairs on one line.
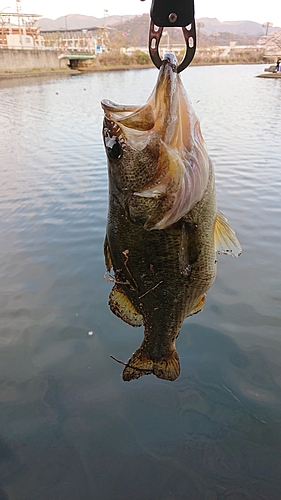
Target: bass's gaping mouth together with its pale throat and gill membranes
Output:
{"points": [[169, 116]]}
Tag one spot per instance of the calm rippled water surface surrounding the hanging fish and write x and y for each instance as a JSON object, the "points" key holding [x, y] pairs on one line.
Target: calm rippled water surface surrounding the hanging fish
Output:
{"points": [[69, 427]]}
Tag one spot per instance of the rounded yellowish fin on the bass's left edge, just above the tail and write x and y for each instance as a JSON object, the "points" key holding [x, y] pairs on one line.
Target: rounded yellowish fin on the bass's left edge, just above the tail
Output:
{"points": [[122, 307]]}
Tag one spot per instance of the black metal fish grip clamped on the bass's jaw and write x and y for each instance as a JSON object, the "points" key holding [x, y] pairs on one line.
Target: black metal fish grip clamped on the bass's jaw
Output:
{"points": [[171, 13]]}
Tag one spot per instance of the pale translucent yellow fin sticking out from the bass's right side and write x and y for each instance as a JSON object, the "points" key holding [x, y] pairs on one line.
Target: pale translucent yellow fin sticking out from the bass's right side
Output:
{"points": [[225, 238]]}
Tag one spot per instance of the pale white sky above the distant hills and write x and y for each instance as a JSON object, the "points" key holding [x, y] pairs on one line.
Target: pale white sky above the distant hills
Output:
{"points": [[224, 10]]}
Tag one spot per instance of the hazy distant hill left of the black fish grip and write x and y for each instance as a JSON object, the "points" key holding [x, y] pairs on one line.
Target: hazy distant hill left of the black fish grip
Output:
{"points": [[77, 21]]}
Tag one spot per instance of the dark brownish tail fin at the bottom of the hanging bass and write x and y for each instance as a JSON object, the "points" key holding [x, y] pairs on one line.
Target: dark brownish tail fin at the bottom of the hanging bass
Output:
{"points": [[140, 363]]}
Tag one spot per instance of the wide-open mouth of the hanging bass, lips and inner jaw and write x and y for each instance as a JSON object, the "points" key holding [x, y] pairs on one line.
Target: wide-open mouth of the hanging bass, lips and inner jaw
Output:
{"points": [[167, 111]]}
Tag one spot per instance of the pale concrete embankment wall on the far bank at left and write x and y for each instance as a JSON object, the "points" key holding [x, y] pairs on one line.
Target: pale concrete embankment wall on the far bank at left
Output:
{"points": [[19, 60]]}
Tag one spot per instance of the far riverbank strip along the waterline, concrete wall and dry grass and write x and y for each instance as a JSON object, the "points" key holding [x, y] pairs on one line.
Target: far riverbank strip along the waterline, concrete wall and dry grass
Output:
{"points": [[22, 63]]}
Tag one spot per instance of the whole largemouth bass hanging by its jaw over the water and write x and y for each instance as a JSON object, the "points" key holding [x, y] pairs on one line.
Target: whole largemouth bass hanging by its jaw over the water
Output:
{"points": [[163, 227]]}
